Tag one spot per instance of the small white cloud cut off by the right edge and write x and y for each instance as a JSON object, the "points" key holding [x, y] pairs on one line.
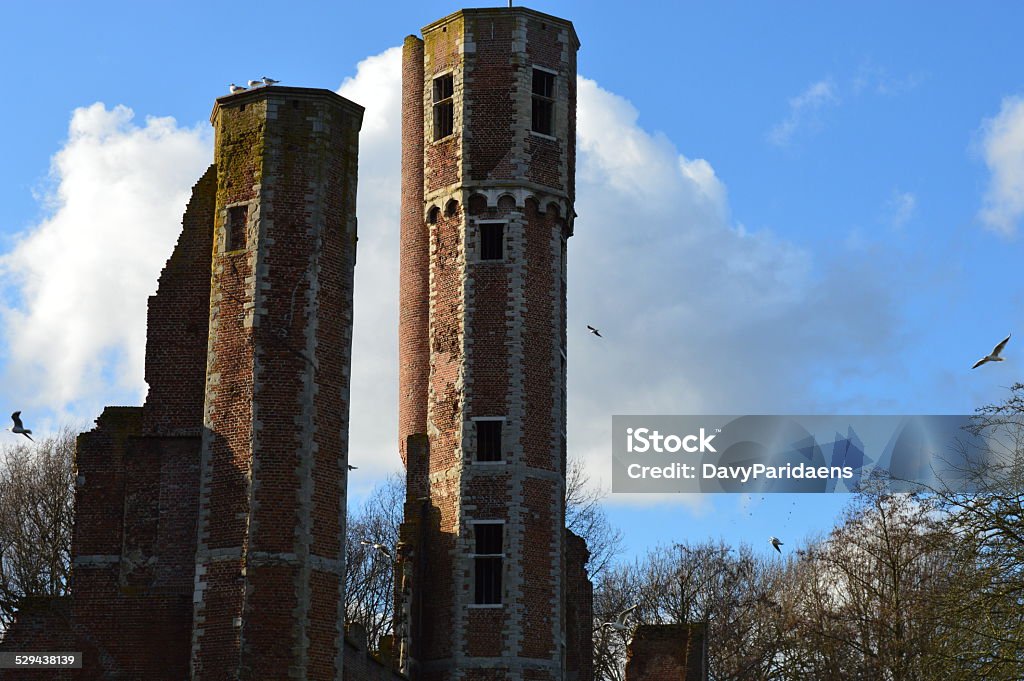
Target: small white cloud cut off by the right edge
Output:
{"points": [[1003, 147]]}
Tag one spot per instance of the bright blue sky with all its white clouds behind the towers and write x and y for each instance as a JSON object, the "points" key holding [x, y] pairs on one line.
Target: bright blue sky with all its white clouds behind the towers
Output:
{"points": [[789, 208]]}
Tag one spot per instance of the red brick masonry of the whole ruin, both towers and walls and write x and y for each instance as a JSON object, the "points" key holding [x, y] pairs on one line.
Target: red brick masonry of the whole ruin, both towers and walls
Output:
{"points": [[209, 531]]}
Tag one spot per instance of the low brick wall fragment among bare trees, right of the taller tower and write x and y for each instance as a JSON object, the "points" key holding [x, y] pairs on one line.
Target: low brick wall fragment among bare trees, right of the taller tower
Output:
{"points": [[668, 653]]}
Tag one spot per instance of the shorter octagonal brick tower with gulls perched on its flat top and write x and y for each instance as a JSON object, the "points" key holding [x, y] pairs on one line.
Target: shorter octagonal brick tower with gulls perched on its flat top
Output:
{"points": [[270, 560]]}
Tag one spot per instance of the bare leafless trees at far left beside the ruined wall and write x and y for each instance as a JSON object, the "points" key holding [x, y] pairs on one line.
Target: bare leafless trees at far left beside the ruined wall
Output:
{"points": [[37, 499]]}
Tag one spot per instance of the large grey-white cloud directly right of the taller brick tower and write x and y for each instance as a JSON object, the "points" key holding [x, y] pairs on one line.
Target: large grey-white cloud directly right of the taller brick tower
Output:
{"points": [[700, 315]]}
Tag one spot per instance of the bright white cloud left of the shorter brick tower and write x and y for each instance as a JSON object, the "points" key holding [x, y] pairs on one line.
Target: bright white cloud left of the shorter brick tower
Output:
{"points": [[83, 274]]}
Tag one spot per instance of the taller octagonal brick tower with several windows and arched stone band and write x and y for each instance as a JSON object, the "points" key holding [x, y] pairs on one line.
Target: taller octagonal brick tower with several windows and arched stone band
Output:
{"points": [[489, 161]]}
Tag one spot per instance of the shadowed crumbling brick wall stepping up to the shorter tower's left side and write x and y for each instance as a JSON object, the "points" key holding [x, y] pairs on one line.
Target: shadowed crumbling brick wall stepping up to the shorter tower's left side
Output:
{"points": [[135, 537]]}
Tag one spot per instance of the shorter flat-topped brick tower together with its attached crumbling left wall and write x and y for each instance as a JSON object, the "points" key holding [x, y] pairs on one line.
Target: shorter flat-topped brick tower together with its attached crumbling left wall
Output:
{"points": [[209, 531]]}
